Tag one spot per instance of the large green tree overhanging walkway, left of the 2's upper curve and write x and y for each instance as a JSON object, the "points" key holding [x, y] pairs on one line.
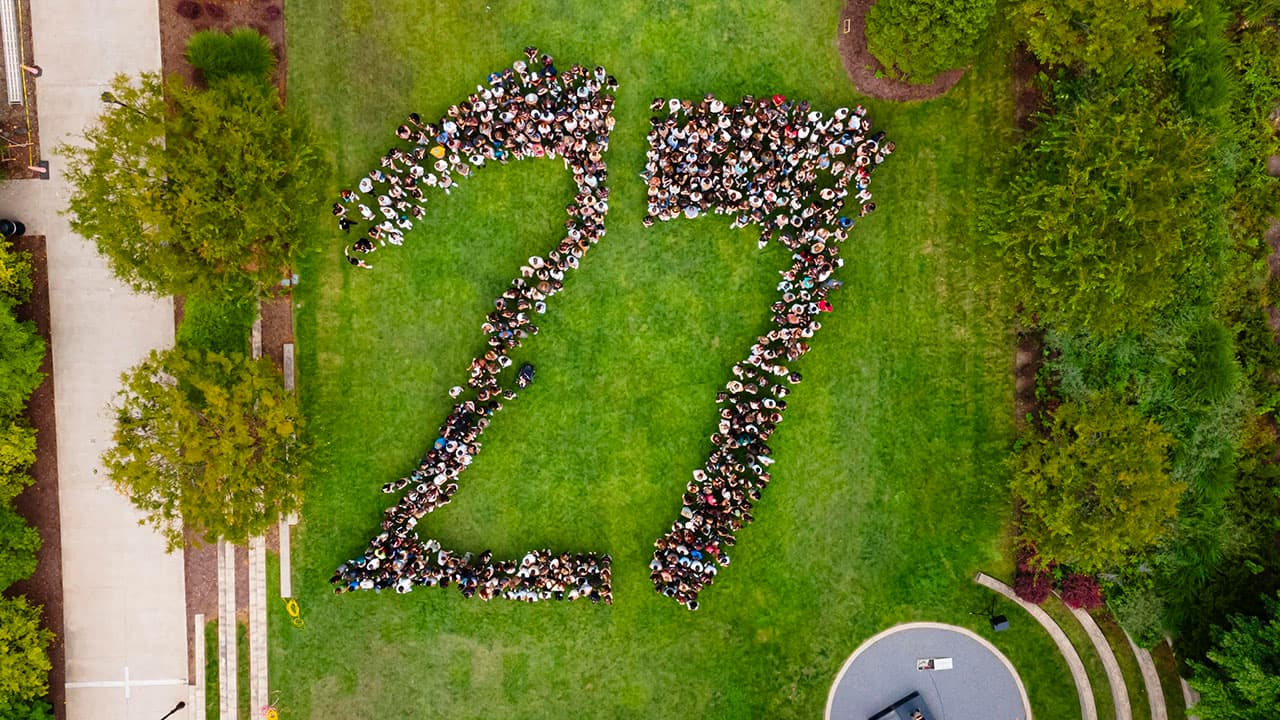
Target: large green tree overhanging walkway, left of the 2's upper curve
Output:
{"points": [[196, 192]]}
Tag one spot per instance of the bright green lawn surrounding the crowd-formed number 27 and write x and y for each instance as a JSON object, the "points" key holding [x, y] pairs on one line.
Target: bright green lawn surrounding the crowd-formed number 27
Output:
{"points": [[889, 491]]}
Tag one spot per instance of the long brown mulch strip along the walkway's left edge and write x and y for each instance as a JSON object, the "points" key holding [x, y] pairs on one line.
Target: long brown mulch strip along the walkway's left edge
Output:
{"points": [[39, 504]]}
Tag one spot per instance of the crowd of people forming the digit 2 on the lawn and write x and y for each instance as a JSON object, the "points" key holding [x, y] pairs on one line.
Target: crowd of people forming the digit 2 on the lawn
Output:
{"points": [[532, 110]]}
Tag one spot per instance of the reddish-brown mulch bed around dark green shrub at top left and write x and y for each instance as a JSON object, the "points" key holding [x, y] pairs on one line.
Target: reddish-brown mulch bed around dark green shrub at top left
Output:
{"points": [[263, 16]]}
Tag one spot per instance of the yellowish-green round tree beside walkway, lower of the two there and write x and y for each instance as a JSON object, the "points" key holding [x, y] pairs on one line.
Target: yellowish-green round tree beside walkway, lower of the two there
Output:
{"points": [[208, 440]]}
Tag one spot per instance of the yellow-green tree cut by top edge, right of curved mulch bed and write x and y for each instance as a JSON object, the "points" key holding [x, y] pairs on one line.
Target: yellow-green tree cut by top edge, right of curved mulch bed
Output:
{"points": [[1095, 34]]}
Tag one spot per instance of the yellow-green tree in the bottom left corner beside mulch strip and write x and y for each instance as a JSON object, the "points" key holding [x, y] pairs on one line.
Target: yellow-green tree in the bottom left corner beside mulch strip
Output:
{"points": [[24, 651]]}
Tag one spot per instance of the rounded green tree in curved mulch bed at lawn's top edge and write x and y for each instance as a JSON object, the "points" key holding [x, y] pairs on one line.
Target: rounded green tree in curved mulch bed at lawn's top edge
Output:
{"points": [[920, 39]]}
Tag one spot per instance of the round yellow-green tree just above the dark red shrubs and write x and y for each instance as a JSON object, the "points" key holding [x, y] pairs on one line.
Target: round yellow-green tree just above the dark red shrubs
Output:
{"points": [[1096, 489]]}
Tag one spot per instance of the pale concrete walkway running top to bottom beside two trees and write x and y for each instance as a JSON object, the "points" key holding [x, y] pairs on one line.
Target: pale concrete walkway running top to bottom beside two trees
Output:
{"points": [[126, 630]]}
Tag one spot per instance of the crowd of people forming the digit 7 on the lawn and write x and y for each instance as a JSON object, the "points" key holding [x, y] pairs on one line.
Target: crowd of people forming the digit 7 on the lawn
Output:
{"points": [[788, 170]]}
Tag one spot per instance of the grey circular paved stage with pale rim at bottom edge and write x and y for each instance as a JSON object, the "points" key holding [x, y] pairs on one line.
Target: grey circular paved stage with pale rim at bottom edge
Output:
{"points": [[980, 683]]}
